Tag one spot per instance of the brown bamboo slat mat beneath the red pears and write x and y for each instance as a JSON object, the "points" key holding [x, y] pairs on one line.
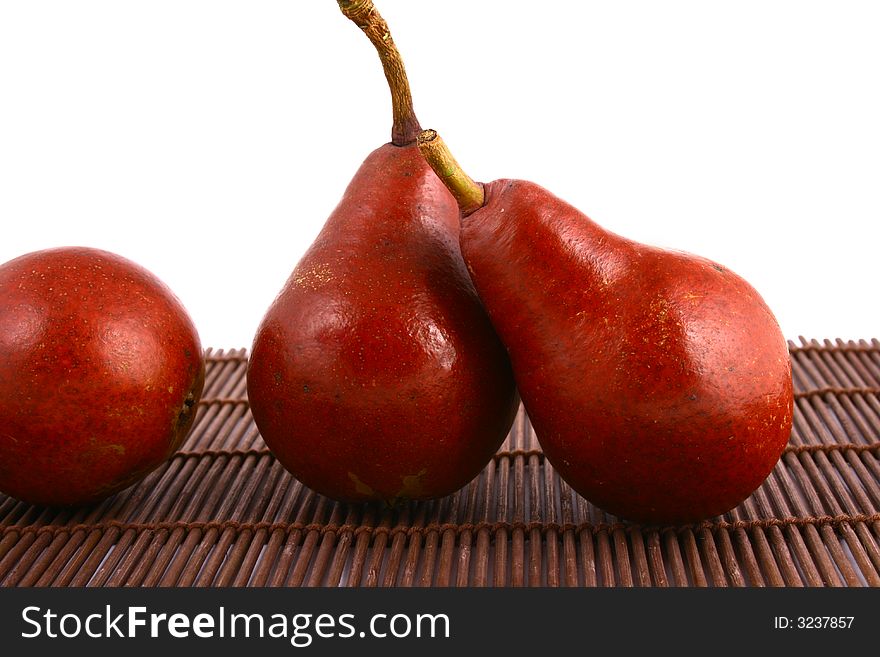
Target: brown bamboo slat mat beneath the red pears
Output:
{"points": [[223, 512]]}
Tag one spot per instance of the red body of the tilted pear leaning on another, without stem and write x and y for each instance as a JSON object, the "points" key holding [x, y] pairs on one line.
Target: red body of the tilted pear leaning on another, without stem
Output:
{"points": [[658, 382]]}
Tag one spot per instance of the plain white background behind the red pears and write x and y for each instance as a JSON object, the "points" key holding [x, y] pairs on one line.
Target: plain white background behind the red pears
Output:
{"points": [[208, 140]]}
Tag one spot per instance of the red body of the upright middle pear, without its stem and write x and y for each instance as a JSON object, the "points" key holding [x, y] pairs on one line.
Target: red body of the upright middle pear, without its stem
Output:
{"points": [[376, 374]]}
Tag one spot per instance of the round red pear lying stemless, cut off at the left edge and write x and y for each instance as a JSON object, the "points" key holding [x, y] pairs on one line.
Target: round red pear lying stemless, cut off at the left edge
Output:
{"points": [[101, 369]]}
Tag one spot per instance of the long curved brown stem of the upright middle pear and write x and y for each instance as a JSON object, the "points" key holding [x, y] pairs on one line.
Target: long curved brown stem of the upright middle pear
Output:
{"points": [[362, 13]]}
